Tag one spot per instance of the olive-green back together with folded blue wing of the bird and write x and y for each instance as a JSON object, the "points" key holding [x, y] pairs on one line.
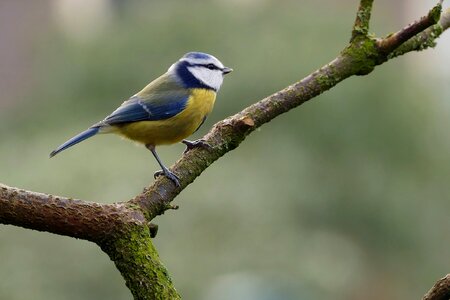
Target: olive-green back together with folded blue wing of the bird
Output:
{"points": [[160, 100]]}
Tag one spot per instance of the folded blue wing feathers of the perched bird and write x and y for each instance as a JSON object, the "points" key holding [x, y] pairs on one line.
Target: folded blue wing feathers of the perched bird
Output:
{"points": [[136, 109]]}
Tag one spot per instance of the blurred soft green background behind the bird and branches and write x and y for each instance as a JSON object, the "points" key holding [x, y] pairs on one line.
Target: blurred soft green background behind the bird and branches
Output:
{"points": [[345, 197]]}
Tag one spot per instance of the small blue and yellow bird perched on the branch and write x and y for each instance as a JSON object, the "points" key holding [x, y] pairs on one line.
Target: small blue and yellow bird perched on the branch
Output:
{"points": [[167, 110]]}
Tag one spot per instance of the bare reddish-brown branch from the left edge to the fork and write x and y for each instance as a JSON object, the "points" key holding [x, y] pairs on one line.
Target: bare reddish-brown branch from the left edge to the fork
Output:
{"points": [[75, 218]]}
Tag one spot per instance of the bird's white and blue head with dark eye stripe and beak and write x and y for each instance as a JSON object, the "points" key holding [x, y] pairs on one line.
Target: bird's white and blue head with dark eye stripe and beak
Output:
{"points": [[199, 70]]}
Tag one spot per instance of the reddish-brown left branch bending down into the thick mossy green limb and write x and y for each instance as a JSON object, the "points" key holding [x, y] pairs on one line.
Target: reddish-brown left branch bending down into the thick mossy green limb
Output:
{"points": [[119, 229]]}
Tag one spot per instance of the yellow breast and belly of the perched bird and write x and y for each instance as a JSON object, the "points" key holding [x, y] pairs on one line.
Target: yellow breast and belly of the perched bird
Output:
{"points": [[176, 128]]}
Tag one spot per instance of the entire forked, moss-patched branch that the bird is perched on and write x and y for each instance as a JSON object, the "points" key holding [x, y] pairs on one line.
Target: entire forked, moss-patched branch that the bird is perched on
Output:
{"points": [[123, 231]]}
